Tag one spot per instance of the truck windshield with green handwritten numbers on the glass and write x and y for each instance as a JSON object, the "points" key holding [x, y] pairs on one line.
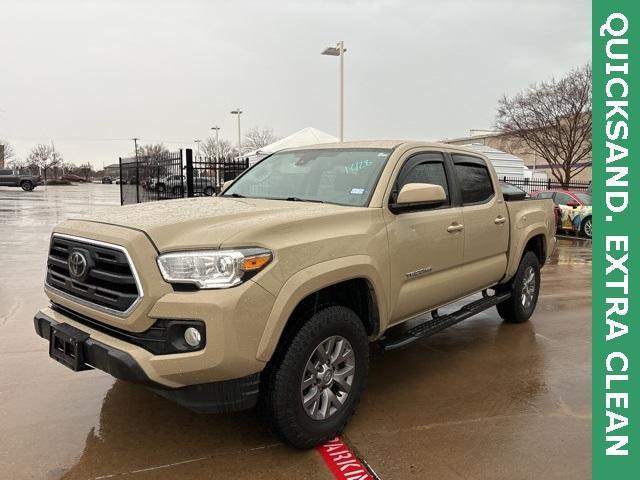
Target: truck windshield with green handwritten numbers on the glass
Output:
{"points": [[345, 176]]}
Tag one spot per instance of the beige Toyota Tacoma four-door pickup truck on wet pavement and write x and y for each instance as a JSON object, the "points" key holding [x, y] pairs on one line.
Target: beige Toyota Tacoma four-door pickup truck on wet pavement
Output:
{"points": [[272, 292]]}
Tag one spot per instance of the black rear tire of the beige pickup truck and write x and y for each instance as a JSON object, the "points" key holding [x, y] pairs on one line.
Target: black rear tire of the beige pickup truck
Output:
{"points": [[516, 309]]}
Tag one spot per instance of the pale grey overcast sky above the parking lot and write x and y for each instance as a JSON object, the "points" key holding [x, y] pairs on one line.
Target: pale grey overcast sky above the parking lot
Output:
{"points": [[91, 74]]}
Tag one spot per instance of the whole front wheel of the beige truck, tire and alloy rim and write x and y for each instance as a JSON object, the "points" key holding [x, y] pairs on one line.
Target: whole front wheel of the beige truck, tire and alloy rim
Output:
{"points": [[314, 383]]}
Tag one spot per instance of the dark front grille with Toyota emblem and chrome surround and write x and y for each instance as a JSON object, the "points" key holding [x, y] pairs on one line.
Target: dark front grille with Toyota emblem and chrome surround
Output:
{"points": [[99, 274]]}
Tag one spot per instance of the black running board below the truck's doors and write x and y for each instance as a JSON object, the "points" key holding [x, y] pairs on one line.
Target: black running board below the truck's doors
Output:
{"points": [[439, 323]]}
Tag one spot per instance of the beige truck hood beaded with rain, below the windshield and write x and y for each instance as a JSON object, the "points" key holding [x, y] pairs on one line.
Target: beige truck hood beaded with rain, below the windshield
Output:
{"points": [[206, 222]]}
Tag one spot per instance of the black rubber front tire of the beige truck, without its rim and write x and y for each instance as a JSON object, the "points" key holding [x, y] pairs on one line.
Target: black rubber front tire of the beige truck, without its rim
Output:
{"points": [[282, 381]]}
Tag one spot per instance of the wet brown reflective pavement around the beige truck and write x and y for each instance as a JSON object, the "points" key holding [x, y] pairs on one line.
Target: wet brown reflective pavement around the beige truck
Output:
{"points": [[482, 400]]}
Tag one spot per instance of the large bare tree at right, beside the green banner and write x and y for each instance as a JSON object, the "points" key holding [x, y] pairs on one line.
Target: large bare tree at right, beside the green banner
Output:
{"points": [[554, 120]]}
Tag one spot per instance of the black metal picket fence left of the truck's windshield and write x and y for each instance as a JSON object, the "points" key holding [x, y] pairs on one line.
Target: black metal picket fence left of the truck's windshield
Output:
{"points": [[174, 175]]}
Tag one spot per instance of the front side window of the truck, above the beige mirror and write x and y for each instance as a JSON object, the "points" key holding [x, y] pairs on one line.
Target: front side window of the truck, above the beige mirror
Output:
{"points": [[422, 168]]}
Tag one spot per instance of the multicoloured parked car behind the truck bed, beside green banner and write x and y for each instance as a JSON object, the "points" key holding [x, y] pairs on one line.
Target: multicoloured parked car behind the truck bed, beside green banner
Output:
{"points": [[573, 209]]}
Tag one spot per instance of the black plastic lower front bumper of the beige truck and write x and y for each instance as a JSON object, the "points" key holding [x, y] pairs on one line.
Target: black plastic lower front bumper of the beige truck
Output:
{"points": [[214, 397]]}
